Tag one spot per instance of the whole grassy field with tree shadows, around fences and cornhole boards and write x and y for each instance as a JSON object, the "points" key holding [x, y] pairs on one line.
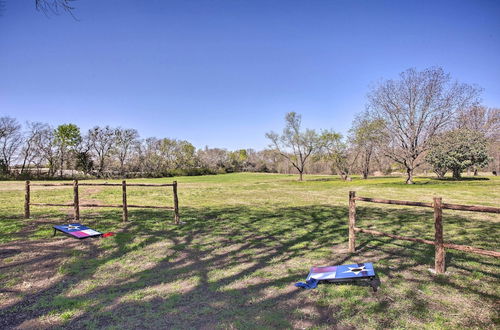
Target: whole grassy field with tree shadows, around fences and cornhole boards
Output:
{"points": [[246, 239]]}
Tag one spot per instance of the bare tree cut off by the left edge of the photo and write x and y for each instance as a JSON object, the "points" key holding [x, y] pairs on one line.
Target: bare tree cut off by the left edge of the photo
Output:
{"points": [[10, 141]]}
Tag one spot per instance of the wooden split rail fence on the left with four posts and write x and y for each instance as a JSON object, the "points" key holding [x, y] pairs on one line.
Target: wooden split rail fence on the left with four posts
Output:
{"points": [[76, 199]]}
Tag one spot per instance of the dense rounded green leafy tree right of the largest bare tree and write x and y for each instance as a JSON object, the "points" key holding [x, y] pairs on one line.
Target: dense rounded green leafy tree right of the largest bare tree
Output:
{"points": [[457, 150]]}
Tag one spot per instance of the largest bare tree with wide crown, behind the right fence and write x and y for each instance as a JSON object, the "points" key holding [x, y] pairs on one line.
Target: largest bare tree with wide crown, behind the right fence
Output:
{"points": [[416, 107]]}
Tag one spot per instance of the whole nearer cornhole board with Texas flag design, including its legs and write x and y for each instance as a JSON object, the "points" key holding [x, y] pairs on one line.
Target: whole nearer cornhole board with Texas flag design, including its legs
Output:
{"points": [[345, 273]]}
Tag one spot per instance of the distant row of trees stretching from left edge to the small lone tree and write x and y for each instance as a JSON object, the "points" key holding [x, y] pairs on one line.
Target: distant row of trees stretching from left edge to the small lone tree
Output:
{"points": [[38, 150]]}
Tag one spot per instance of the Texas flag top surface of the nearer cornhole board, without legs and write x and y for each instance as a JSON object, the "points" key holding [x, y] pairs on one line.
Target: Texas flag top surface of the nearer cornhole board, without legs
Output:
{"points": [[342, 272]]}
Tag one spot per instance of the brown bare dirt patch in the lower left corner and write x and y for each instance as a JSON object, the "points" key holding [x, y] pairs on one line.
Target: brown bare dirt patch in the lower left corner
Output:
{"points": [[34, 271]]}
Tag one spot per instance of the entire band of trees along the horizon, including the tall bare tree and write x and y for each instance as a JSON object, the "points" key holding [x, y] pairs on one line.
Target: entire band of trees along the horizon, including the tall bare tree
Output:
{"points": [[422, 122]]}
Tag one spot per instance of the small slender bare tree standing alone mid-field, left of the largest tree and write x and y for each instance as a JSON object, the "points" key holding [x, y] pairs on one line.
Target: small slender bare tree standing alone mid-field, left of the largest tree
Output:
{"points": [[294, 145]]}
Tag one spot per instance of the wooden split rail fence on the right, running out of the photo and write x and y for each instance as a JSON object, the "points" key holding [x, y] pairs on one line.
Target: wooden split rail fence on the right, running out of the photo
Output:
{"points": [[438, 241]]}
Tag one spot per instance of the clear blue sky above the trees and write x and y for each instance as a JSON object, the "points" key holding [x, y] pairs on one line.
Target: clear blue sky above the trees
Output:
{"points": [[223, 73]]}
